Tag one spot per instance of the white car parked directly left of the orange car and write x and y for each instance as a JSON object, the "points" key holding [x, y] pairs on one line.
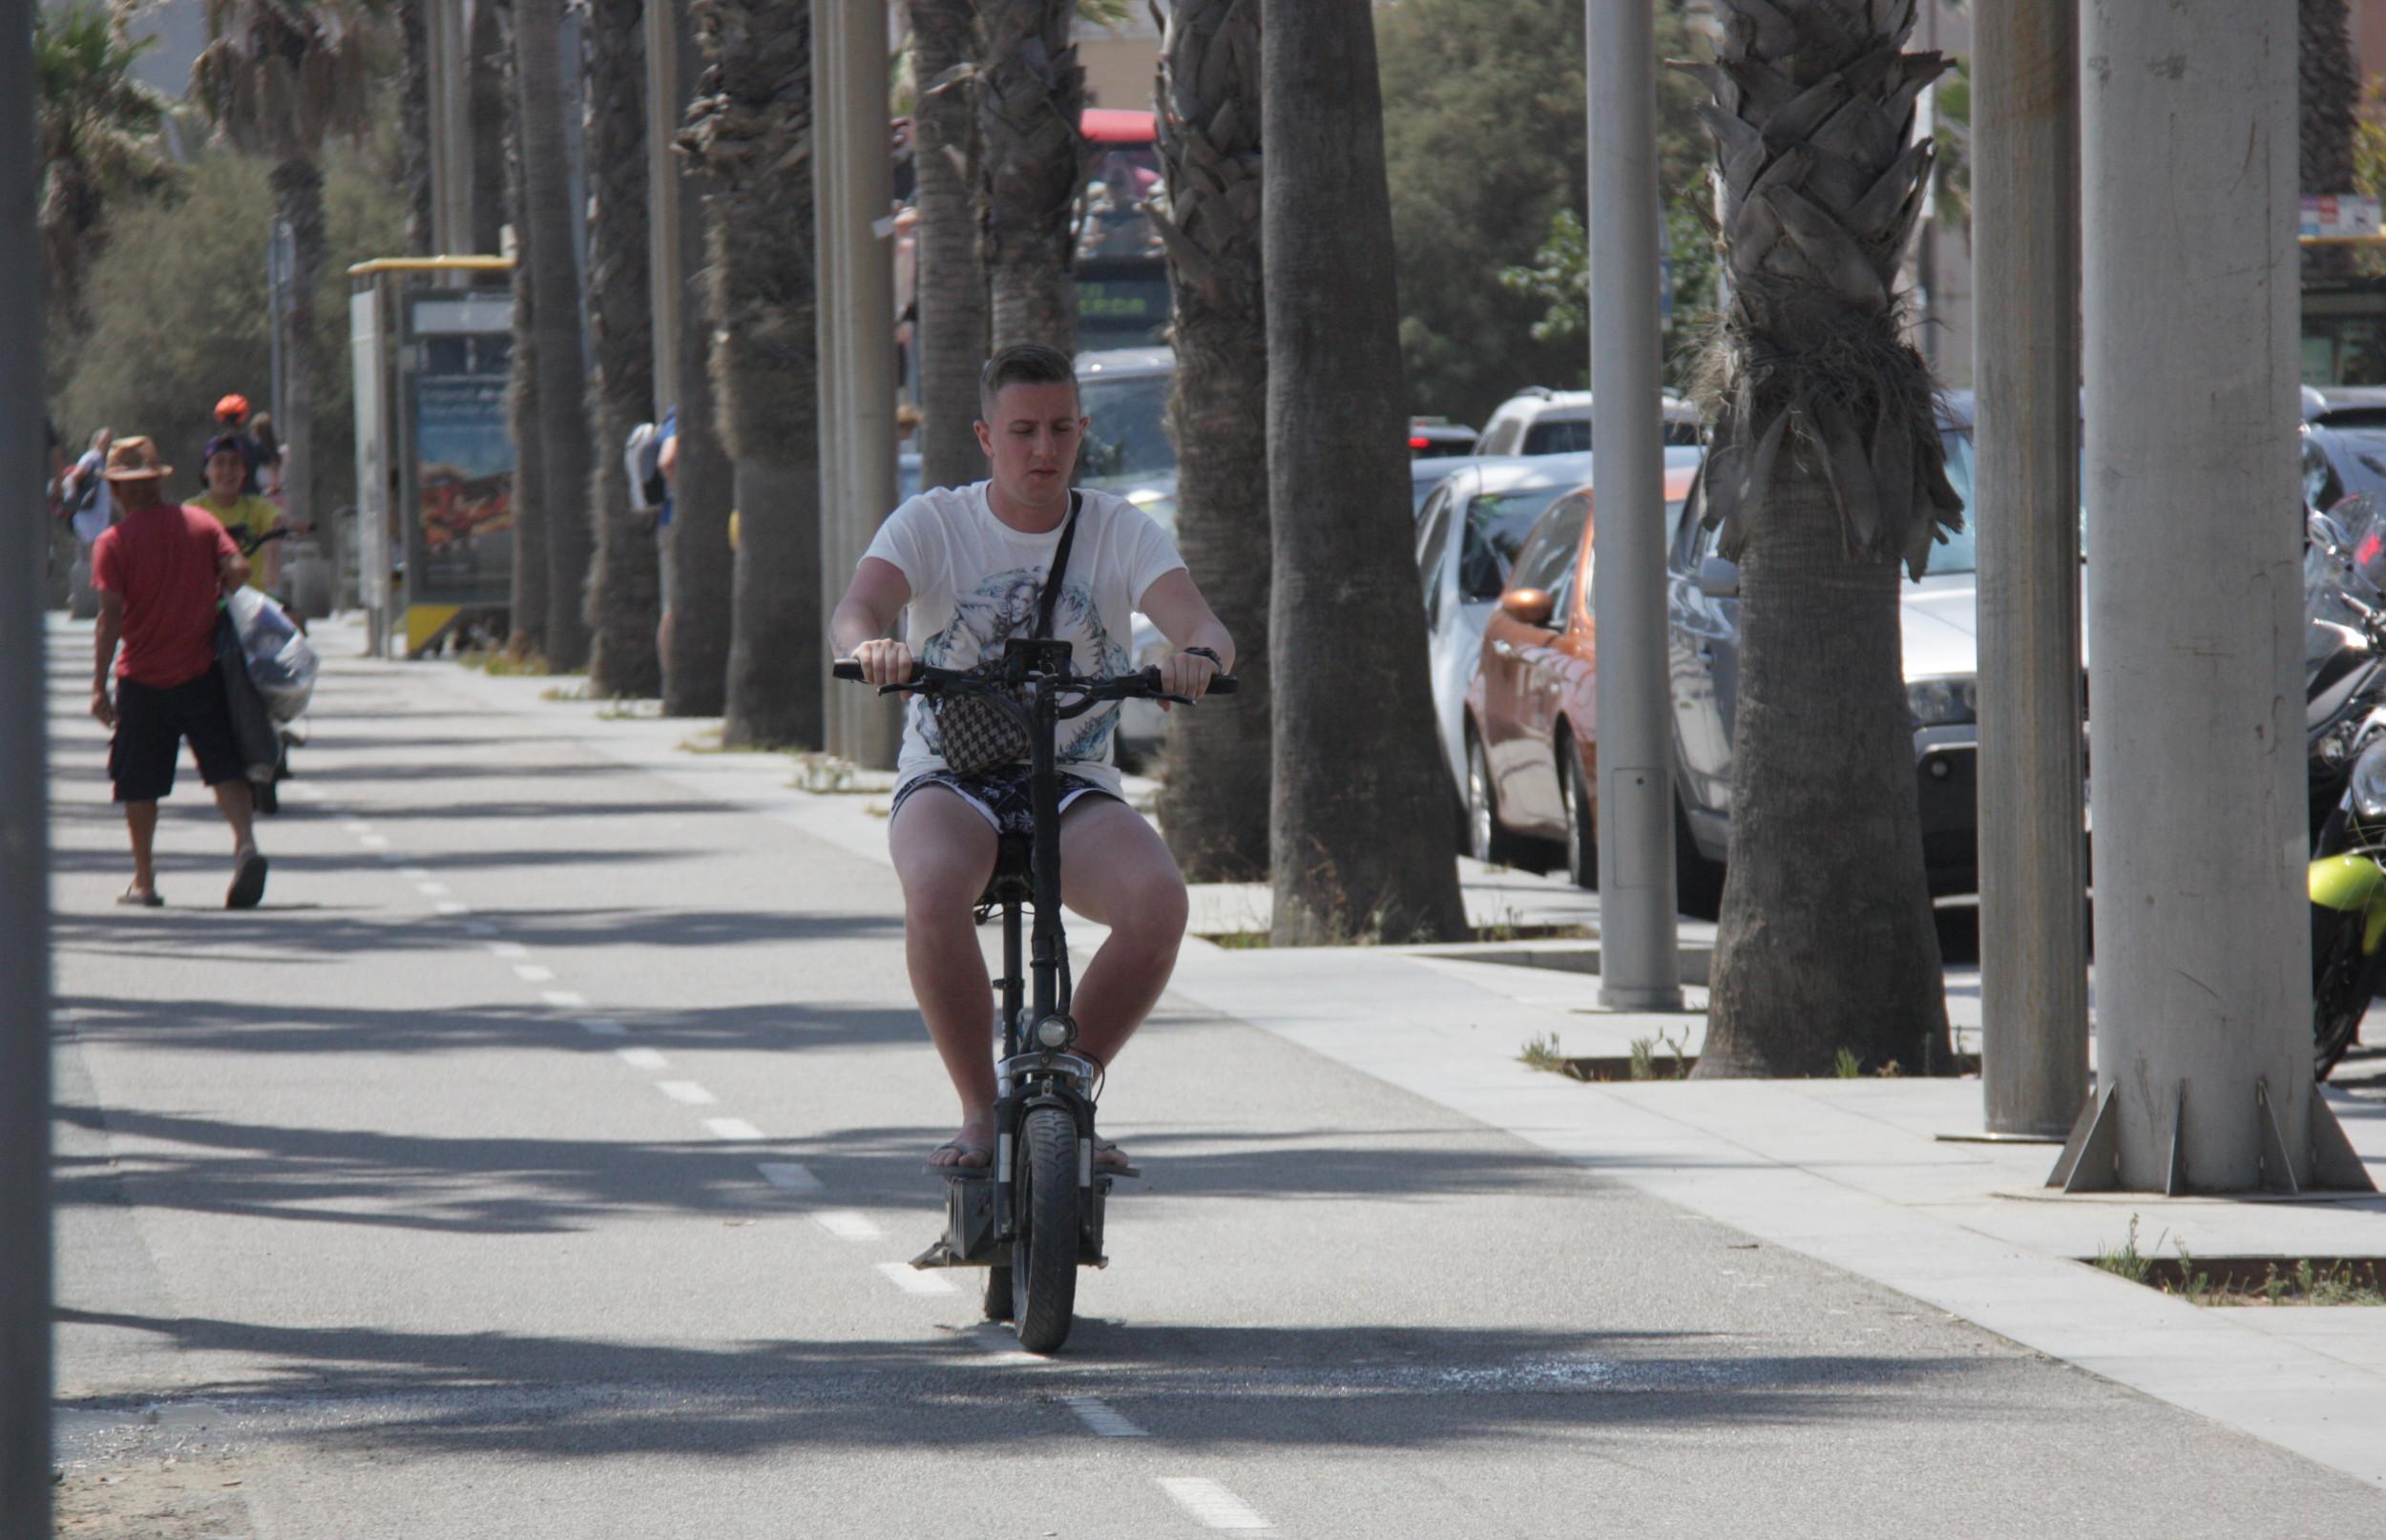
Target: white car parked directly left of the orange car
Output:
{"points": [[1469, 535]]}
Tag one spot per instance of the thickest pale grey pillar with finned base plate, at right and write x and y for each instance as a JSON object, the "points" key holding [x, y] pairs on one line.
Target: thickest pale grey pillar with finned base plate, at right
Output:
{"points": [[2194, 588]]}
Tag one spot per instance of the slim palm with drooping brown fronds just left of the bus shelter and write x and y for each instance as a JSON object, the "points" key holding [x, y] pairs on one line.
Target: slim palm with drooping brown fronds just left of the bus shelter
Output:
{"points": [[280, 77]]}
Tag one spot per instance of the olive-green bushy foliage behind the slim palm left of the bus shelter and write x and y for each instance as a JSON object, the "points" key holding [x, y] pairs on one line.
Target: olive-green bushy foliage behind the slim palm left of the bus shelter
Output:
{"points": [[178, 313]]}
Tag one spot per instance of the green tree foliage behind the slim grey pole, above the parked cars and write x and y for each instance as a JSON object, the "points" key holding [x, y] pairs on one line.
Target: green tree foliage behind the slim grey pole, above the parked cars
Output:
{"points": [[1485, 147]]}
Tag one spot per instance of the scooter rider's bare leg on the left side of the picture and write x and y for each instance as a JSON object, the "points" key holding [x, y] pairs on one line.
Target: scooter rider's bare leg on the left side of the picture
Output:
{"points": [[944, 855]]}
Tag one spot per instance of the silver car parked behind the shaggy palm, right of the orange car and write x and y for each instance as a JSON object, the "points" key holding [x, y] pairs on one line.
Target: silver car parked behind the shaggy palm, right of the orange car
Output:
{"points": [[1941, 662]]}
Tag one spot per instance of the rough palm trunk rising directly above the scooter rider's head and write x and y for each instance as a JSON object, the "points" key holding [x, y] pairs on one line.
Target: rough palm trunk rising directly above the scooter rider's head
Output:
{"points": [[1032, 166]]}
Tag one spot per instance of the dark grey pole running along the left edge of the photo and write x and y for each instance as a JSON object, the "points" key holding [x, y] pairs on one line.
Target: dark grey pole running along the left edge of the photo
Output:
{"points": [[25, 878]]}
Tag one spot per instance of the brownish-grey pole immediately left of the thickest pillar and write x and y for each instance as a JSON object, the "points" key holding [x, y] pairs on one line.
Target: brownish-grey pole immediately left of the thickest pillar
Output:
{"points": [[2034, 909]]}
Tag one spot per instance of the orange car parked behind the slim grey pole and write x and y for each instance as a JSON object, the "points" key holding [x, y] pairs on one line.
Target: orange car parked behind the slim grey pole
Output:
{"points": [[1533, 709]]}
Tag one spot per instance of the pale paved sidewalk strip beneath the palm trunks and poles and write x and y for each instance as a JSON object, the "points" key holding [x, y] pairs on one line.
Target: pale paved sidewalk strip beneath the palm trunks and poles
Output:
{"points": [[1848, 1172]]}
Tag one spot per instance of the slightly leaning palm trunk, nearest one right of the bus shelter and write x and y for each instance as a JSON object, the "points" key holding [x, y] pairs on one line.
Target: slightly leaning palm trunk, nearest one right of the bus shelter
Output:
{"points": [[564, 433]]}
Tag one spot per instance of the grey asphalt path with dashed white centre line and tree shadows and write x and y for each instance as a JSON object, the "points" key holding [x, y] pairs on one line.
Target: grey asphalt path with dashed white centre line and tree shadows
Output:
{"points": [[543, 1157]]}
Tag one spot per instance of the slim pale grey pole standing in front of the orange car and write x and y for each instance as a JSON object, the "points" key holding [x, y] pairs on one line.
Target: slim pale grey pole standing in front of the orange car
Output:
{"points": [[1638, 948]]}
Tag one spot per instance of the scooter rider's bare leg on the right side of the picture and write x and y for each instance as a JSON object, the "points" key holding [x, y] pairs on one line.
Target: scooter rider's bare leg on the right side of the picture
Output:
{"points": [[1118, 874]]}
